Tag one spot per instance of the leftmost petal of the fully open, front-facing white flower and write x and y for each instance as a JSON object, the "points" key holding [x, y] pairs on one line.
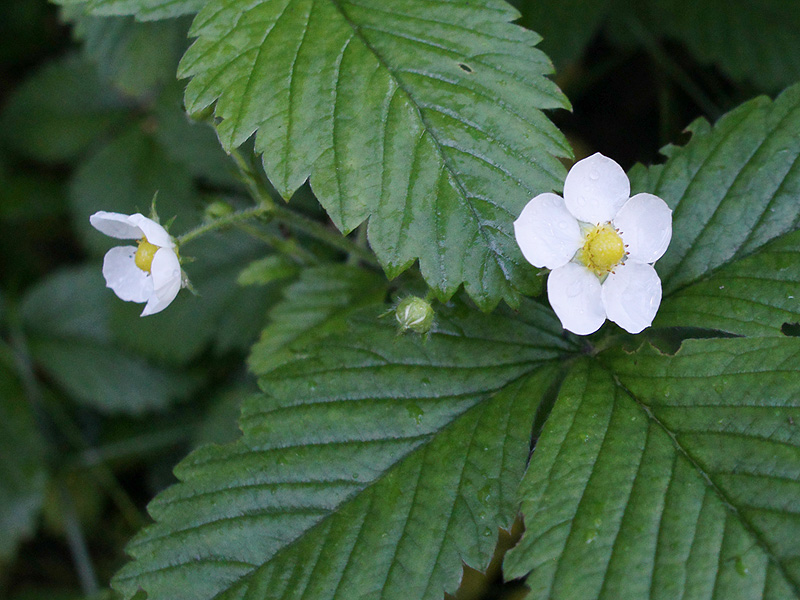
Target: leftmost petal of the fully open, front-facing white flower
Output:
{"points": [[546, 233]]}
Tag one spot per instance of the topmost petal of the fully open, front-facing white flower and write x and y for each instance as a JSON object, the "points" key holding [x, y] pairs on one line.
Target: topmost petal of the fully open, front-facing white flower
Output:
{"points": [[595, 189]]}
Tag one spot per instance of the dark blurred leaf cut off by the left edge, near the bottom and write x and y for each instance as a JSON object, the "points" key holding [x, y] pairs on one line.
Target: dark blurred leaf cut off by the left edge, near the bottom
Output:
{"points": [[22, 470]]}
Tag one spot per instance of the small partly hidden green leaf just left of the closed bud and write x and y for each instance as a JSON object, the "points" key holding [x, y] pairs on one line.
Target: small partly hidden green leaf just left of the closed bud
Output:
{"points": [[318, 304]]}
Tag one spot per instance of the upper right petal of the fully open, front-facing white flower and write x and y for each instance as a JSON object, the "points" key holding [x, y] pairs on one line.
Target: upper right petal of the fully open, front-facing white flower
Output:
{"points": [[645, 224]]}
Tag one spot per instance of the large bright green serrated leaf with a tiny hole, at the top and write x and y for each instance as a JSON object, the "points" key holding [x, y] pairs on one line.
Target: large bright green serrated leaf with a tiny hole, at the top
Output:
{"points": [[425, 118]]}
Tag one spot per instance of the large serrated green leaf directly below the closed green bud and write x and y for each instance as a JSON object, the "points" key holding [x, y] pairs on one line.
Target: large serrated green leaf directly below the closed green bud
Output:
{"points": [[345, 469]]}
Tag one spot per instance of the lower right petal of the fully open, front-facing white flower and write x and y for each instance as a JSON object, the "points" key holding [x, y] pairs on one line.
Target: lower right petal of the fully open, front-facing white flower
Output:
{"points": [[631, 296]]}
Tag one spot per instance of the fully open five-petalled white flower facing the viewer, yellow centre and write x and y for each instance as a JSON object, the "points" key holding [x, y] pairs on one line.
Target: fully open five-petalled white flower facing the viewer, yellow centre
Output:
{"points": [[600, 244]]}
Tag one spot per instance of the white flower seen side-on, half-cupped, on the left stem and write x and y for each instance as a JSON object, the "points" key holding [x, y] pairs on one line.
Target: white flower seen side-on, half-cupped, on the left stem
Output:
{"points": [[149, 272]]}
